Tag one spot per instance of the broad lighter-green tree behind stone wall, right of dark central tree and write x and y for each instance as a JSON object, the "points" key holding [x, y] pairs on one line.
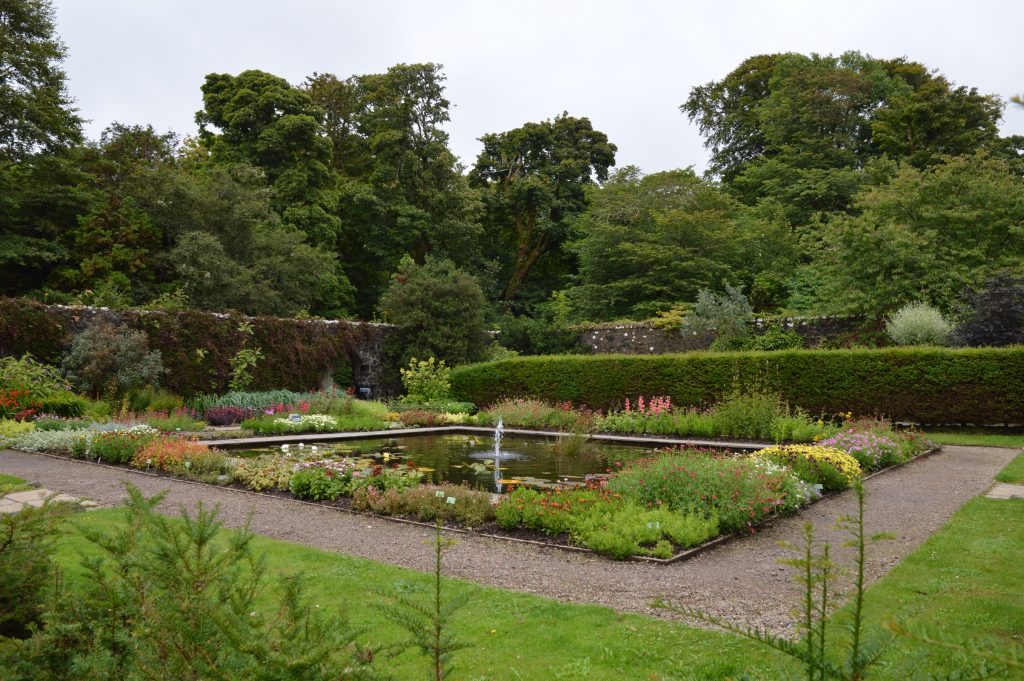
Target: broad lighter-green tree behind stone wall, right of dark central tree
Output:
{"points": [[647, 243]]}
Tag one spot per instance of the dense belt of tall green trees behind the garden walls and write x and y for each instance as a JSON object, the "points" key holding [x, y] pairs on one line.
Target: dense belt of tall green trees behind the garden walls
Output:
{"points": [[843, 184]]}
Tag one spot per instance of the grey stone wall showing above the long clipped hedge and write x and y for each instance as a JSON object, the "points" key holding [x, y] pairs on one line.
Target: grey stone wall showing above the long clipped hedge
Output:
{"points": [[644, 338]]}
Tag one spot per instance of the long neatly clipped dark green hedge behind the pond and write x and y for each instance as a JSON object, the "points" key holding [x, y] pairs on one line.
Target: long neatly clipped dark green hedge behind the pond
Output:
{"points": [[922, 386]]}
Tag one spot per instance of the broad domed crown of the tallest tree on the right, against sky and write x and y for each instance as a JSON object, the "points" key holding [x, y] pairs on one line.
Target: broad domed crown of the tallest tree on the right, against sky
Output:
{"points": [[800, 129]]}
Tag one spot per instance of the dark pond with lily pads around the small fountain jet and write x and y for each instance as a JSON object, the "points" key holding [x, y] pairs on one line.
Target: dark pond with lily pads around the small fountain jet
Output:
{"points": [[471, 459]]}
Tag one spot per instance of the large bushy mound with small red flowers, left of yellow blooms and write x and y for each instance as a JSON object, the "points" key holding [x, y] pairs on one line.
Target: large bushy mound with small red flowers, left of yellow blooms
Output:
{"points": [[739, 492]]}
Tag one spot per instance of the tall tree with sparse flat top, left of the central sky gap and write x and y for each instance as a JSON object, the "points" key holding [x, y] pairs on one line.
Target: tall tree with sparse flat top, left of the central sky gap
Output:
{"points": [[402, 189]]}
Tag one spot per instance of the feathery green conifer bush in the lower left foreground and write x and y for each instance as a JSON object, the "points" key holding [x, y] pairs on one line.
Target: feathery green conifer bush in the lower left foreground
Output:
{"points": [[204, 610]]}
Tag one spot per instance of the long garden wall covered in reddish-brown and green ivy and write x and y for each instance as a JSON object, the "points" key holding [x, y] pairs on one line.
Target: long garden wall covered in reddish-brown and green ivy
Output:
{"points": [[196, 348]]}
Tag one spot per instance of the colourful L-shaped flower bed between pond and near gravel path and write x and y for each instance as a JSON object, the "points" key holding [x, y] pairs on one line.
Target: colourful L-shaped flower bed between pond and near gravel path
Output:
{"points": [[655, 507]]}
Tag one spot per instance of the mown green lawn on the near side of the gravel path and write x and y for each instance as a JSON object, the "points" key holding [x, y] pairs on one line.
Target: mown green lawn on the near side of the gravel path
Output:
{"points": [[968, 580]]}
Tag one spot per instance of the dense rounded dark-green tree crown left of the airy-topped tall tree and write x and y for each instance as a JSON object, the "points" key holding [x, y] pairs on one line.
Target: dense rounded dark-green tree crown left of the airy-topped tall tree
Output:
{"points": [[267, 122]]}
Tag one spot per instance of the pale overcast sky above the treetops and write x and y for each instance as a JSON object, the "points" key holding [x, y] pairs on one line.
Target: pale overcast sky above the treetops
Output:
{"points": [[627, 66]]}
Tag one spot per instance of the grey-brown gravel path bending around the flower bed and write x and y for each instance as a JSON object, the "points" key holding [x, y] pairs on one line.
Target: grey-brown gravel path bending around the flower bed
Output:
{"points": [[741, 580]]}
